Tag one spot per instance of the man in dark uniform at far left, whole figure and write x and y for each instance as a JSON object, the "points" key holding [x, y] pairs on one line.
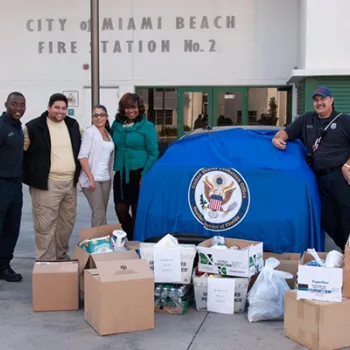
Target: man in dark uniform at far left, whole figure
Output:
{"points": [[11, 197]]}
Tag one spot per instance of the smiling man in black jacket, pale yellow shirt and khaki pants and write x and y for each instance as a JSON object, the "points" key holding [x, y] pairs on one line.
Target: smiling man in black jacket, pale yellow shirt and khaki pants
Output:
{"points": [[51, 170]]}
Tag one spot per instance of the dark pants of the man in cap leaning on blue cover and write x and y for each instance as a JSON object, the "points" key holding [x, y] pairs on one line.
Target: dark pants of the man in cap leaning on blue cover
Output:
{"points": [[335, 200]]}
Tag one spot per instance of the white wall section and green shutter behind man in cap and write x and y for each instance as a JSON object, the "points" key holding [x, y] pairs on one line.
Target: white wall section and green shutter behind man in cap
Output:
{"points": [[322, 53]]}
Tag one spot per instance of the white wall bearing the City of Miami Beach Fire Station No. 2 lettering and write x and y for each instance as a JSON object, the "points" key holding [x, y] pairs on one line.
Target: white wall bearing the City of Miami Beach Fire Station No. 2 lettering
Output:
{"points": [[261, 49]]}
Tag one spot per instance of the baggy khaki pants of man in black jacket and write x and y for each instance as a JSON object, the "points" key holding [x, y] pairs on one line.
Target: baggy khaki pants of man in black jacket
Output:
{"points": [[54, 213]]}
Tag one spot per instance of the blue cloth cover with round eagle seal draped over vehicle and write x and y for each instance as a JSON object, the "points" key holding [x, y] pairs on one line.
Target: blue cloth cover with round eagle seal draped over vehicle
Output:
{"points": [[233, 183]]}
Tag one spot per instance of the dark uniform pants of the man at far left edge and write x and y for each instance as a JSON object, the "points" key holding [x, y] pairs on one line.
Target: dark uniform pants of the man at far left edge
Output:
{"points": [[11, 202]]}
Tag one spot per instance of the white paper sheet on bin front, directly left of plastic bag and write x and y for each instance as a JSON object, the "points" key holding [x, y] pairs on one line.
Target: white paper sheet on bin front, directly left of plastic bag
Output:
{"points": [[220, 296]]}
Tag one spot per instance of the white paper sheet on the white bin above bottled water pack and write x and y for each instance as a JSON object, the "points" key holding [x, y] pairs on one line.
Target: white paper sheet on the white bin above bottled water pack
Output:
{"points": [[167, 264]]}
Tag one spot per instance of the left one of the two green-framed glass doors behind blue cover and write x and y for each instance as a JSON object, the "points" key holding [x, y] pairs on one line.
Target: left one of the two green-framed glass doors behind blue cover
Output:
{"points": [[194, 109]]}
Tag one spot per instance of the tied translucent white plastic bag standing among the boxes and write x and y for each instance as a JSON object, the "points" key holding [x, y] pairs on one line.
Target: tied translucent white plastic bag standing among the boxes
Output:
{"points": [[266, 298]]}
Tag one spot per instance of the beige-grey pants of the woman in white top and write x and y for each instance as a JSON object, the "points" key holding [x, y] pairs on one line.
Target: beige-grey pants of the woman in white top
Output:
{"points": [[98, 201]]}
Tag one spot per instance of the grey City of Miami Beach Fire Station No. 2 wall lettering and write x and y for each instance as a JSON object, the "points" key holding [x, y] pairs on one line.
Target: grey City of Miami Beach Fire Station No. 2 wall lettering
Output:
{"points": [[109, 24]]}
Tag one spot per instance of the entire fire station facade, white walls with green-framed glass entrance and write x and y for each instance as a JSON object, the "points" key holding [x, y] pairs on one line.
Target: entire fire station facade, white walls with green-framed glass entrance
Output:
{"points": [[216, 62]]}
